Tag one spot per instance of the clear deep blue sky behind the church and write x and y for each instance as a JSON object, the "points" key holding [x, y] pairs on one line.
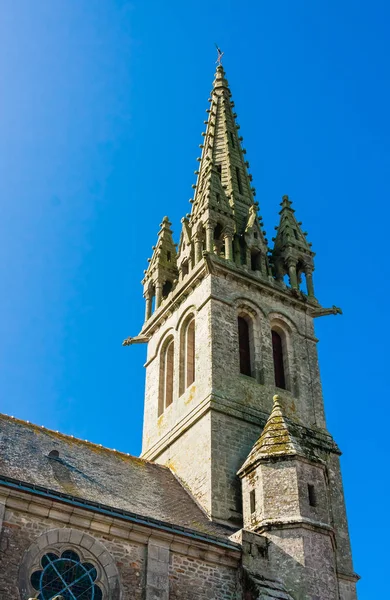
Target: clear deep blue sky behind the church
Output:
{"points": [[102, 107]]}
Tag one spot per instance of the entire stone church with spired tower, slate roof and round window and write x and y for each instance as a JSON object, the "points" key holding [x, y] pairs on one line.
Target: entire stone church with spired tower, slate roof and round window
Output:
{"points": [[238, 492]]}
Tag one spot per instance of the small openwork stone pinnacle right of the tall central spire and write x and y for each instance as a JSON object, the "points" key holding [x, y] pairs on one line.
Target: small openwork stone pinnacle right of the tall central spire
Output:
{"points": [[292, 253]]}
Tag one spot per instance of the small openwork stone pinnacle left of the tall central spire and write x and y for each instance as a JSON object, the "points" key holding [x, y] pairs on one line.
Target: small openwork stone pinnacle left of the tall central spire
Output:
{"points": [[162, 270]]}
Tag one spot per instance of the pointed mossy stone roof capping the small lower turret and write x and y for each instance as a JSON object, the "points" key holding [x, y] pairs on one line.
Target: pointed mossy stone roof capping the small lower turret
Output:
{"points": [[275, 440]]}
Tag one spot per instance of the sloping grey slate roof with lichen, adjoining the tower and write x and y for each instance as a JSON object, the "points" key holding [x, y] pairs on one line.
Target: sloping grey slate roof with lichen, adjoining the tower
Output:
{"points": [[96, 474]]}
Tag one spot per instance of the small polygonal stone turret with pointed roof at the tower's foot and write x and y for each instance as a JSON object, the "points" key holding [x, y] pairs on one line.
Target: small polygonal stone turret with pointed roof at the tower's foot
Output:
{"points": [[286, 499]]}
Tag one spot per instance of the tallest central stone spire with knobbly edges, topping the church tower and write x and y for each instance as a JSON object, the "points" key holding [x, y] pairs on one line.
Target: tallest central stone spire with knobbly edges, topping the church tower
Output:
{"points": [[224, 218]]}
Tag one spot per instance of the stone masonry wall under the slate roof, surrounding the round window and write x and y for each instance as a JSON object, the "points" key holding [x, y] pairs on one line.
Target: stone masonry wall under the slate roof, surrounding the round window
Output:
{"points": [[150, 567]]}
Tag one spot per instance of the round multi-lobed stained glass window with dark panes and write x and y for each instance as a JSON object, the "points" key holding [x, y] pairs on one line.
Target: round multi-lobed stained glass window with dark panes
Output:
{"points": [[67, 576]]}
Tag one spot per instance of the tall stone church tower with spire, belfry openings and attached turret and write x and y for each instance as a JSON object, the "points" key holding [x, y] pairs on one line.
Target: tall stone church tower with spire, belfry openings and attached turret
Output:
{"points": [[229, 325]]}
